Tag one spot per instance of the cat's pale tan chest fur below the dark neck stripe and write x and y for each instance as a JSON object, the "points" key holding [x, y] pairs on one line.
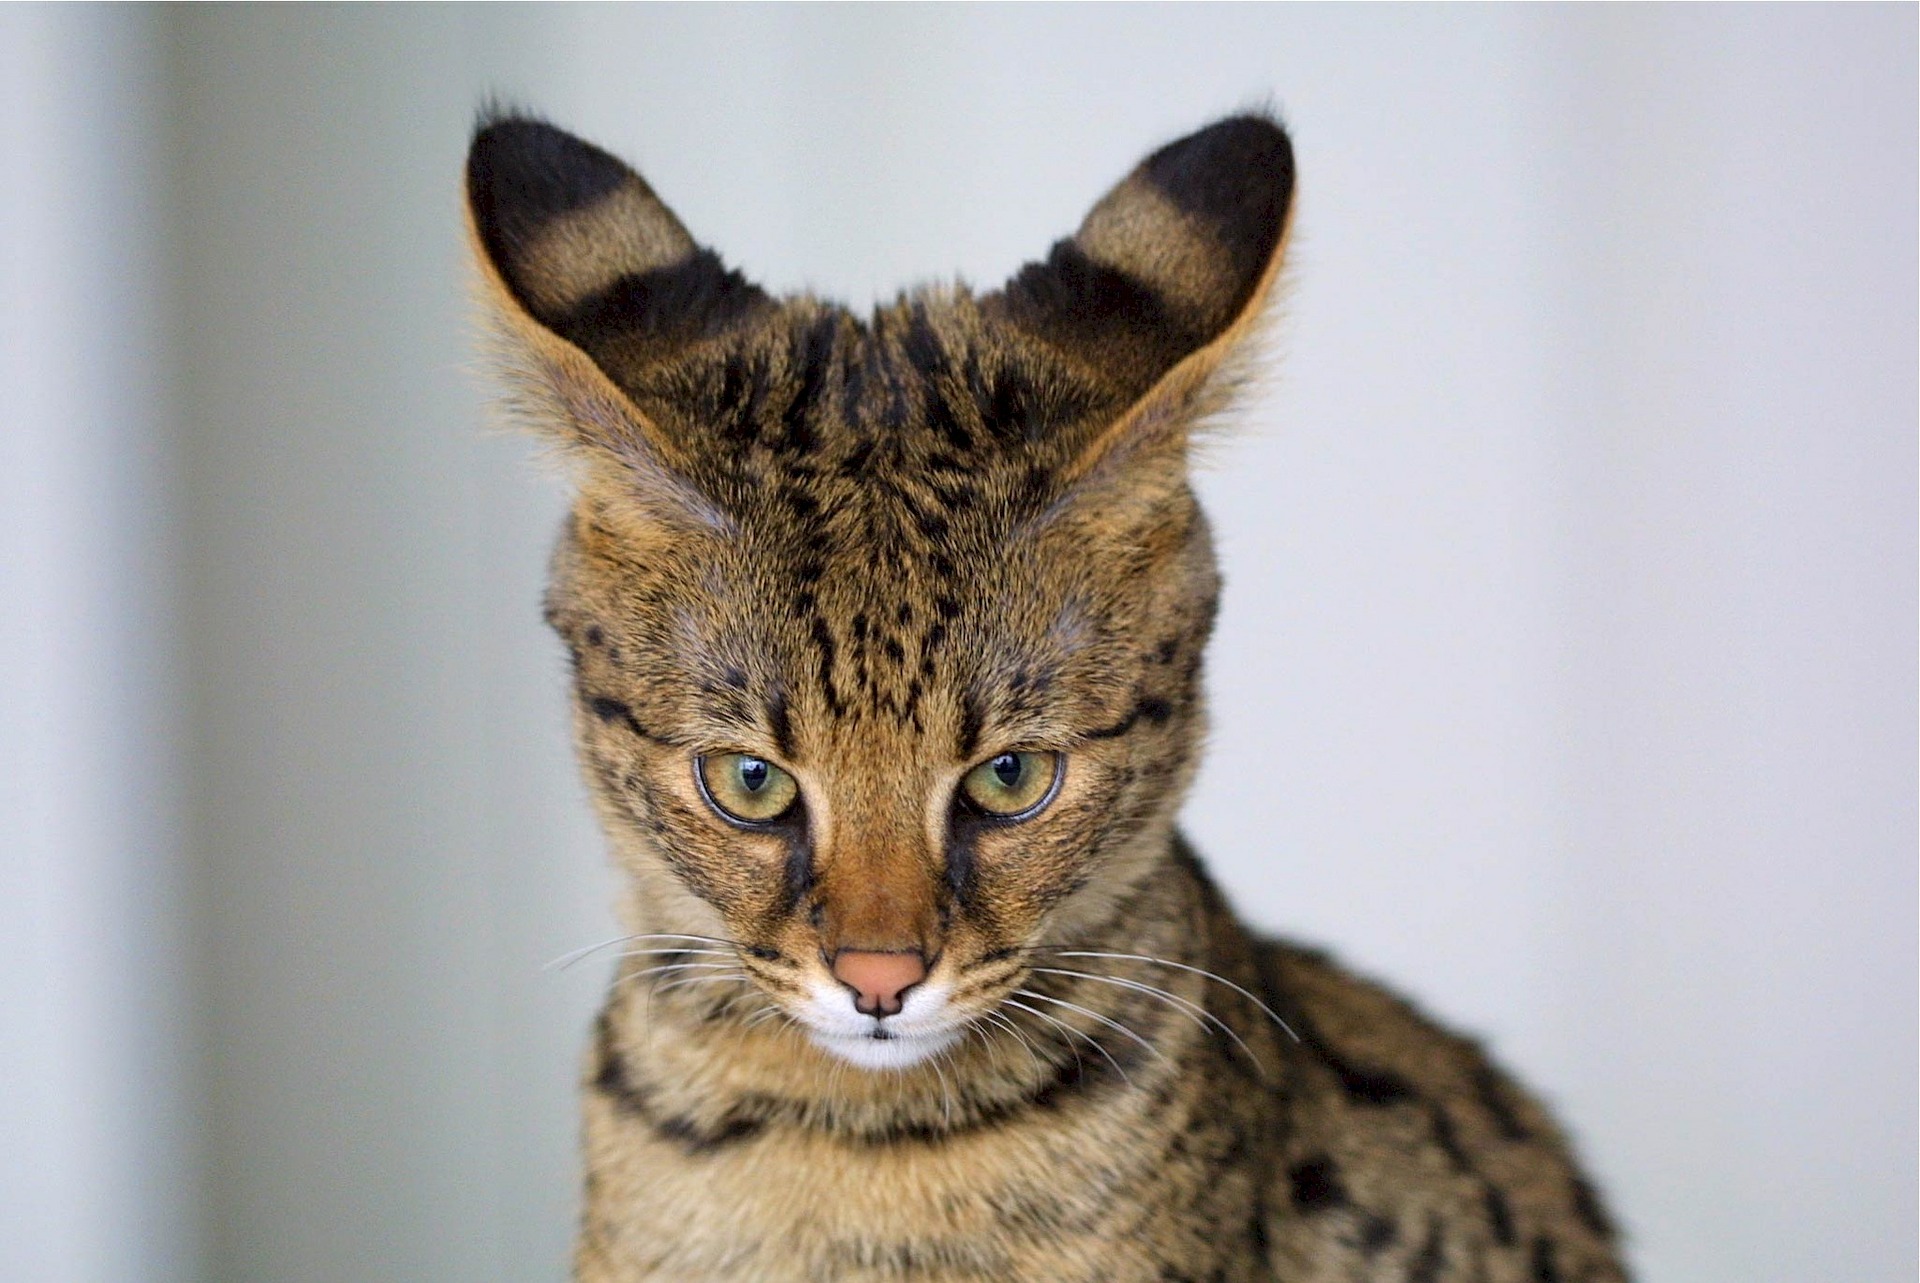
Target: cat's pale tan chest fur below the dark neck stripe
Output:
{"points": [[1038, 1201]]}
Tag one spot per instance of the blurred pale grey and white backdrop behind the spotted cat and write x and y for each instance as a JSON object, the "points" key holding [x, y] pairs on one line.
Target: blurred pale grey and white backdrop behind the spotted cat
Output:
{"points": [[1568, 662]]}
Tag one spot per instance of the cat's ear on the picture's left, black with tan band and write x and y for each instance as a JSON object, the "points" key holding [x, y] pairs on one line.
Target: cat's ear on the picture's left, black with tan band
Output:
{"points": [[594, 287]]}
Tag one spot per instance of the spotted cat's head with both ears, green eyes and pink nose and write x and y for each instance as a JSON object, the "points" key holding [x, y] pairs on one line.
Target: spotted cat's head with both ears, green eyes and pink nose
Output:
{"points": [[888, 631]]}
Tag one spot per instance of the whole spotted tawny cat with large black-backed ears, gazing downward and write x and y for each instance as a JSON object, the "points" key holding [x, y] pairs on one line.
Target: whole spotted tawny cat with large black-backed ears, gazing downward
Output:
{"points": [[888, 642]]}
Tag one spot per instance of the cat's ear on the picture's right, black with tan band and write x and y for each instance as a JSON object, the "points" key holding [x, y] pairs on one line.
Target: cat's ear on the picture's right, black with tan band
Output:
{"points": [[1164, 279]]}
